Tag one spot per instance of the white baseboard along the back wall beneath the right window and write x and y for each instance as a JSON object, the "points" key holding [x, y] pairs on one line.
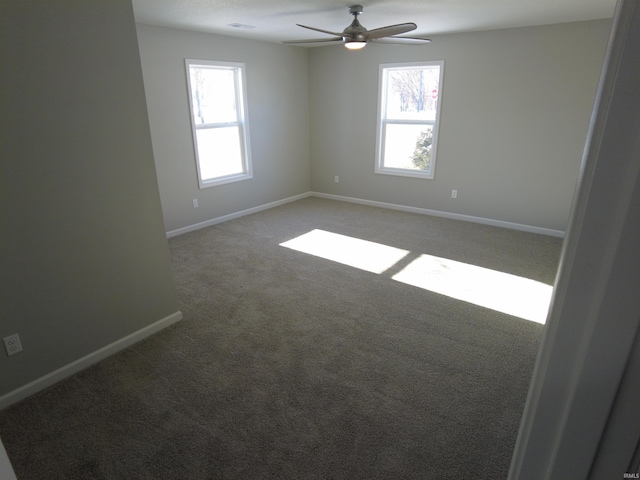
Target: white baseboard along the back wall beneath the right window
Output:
{"points": [[437, 213]]}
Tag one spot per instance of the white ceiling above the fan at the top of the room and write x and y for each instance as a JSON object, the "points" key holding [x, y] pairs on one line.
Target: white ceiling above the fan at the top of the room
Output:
{"points": [[275, 20]]}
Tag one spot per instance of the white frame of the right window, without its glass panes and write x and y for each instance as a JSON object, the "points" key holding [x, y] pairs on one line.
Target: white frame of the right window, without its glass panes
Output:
{"points": [[383, 121]]}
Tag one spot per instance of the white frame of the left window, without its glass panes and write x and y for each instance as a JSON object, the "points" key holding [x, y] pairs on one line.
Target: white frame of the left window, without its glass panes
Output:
{"points": [[241, 122]]}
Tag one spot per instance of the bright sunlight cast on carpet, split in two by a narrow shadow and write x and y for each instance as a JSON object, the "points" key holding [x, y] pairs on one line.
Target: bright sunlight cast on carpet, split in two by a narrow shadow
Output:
{"points": [[504, 292]]}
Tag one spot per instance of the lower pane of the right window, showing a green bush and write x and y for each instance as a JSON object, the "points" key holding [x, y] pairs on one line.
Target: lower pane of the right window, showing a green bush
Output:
{"points": [[408, 146]]}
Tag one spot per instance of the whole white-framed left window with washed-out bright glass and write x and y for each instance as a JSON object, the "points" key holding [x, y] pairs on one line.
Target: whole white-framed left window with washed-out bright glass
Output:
{"points": [[219, 121]]}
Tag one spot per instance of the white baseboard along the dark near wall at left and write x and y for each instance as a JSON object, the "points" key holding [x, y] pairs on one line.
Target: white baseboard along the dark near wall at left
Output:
{"points": [[86, 361]]}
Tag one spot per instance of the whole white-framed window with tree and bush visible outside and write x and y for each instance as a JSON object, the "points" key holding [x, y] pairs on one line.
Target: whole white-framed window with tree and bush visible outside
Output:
{"points": [[408, 115]]}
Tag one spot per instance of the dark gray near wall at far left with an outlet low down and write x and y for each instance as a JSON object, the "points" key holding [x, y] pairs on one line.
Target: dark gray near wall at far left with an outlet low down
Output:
{"points": [[84, 257]]}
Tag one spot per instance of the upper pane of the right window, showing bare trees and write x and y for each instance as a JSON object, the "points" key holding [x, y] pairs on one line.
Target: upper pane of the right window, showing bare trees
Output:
{"points": [[412, 93]]}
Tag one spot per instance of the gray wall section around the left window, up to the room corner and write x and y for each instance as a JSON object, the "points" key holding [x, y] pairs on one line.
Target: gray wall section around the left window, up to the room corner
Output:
{"points": [[278, 104]]}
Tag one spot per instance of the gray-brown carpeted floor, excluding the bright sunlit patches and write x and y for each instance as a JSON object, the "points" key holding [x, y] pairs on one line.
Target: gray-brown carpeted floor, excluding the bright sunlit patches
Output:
{"points": [[291, 366]]}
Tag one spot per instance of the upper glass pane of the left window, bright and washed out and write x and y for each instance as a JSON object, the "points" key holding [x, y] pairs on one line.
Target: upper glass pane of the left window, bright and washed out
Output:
{"points": [[213, 95]]}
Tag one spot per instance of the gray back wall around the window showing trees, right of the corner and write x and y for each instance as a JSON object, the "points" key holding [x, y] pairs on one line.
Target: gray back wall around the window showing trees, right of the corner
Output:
{"points": [[516, 106]]}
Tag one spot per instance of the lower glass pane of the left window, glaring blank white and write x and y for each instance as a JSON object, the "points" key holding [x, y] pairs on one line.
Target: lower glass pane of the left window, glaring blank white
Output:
{"points": [[219, 152]]}
